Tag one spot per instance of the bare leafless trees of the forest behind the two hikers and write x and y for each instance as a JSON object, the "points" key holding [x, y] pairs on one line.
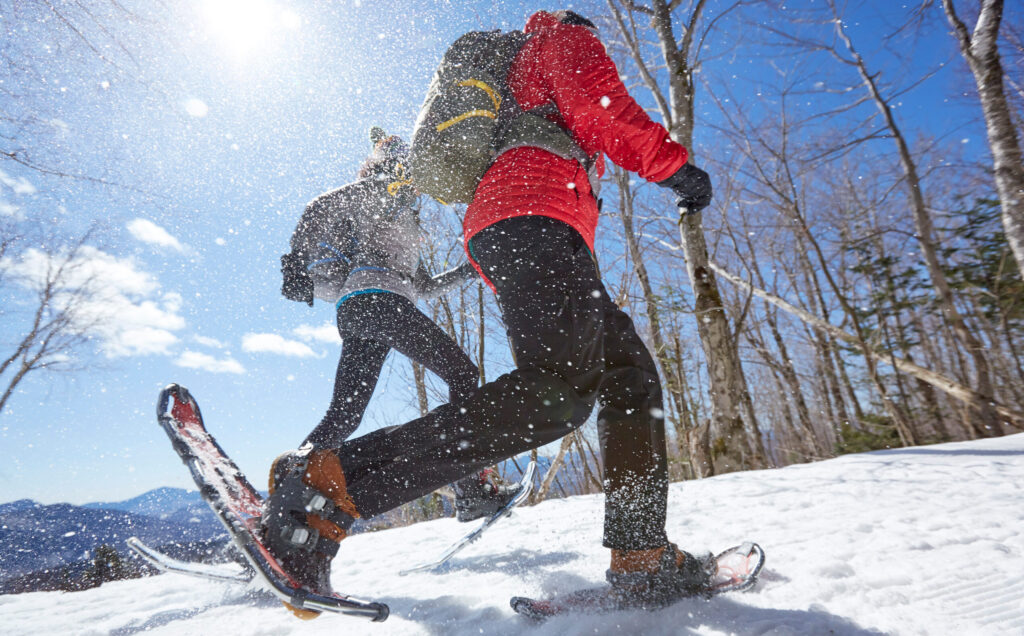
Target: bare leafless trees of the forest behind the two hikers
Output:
{"points": [[856, 285]]}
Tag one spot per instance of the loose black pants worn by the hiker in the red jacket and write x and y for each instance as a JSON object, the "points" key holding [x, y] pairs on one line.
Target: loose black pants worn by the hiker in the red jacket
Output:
{"points": [[573, 346]]}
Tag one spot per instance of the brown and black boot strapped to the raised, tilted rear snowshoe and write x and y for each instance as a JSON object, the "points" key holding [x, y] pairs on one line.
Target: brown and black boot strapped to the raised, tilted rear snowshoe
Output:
{"points": [[306, 518]]}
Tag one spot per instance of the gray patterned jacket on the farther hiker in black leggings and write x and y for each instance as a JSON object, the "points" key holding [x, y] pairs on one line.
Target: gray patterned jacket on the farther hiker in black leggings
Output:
{"points": [[361, 238]]}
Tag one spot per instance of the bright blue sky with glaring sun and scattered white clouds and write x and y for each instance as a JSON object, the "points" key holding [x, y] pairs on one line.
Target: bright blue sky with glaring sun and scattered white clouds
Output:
{"points": [[242, 113]]}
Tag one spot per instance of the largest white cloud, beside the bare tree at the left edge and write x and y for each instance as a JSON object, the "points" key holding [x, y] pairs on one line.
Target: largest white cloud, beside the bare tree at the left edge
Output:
{"points": [[108, 298]]}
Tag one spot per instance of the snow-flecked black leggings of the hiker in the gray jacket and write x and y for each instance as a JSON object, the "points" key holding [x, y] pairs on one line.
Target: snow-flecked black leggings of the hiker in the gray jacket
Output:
{"points": [[371, 325]]}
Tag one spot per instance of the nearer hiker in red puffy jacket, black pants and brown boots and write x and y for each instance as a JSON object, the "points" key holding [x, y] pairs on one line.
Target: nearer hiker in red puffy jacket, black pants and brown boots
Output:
{"points": [[530, 232]]}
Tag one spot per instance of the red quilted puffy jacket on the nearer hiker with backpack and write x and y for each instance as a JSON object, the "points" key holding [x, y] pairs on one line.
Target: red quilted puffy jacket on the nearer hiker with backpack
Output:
{"points": [[567, 65]]}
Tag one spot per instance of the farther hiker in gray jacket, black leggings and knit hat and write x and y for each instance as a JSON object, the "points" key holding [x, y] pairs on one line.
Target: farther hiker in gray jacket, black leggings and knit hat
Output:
{"points": [[358, 247]]}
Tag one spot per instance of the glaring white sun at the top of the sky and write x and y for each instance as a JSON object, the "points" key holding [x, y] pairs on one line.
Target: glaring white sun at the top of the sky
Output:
{"points": [[245, 27]]}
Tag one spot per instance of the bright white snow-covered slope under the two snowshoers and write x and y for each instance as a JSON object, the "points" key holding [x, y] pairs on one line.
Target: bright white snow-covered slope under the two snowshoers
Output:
{"points": [[918, 541]]}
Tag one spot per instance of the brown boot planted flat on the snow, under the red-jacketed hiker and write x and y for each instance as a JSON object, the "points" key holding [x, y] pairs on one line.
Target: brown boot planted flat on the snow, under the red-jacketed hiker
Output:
{"points": [[659, 577]]}
